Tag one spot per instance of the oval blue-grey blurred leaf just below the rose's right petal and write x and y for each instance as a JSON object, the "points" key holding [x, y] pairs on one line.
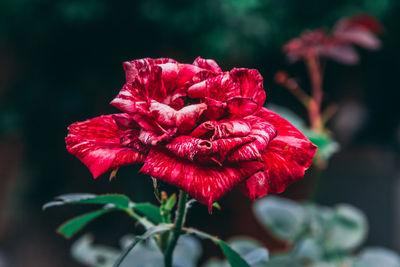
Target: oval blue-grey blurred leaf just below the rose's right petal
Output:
{"points": [[284, 218]]}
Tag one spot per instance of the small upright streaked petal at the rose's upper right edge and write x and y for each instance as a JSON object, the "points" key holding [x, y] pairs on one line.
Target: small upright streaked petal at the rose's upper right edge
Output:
{"points": [[251, 84]]}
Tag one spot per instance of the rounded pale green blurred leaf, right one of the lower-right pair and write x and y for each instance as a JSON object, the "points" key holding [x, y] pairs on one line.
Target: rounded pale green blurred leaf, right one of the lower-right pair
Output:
{"points": [[348, 229]]}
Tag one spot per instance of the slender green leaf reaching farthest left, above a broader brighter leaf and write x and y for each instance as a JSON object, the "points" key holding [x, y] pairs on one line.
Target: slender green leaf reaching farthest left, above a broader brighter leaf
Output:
{"points": [[115, 200]]}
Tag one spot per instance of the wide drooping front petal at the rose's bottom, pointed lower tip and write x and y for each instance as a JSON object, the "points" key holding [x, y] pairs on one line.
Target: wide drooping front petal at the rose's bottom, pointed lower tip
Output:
{"points": [[205, 183]]}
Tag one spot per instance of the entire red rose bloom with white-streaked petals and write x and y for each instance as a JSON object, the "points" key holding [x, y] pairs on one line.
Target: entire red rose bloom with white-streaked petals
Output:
{"points": [[195, 127]]}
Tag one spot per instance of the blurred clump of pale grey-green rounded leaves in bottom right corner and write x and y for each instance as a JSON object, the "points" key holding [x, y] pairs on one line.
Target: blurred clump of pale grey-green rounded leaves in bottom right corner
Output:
{"points": [[320, 235]]}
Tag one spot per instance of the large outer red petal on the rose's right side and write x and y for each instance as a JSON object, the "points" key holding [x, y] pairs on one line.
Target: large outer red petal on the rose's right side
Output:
{"points": [[286, 158]]}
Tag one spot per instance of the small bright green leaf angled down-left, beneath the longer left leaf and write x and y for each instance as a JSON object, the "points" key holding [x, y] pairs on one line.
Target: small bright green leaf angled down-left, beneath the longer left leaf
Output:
{"points": [[71, 227]]}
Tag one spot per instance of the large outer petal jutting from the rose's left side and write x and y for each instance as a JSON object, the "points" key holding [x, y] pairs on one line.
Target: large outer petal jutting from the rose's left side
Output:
{"points": [[96, 142]]}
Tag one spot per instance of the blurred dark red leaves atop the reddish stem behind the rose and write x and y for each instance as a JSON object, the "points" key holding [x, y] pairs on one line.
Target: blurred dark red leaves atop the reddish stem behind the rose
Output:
{"points": [[358, 30]]}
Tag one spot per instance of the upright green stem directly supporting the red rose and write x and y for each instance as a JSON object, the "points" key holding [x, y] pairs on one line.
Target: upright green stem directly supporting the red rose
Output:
{"points": [[177, 231]]}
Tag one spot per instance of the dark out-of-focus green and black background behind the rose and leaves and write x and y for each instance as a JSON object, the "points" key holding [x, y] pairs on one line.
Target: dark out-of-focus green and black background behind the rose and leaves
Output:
{"points": [[61, 62]]}
